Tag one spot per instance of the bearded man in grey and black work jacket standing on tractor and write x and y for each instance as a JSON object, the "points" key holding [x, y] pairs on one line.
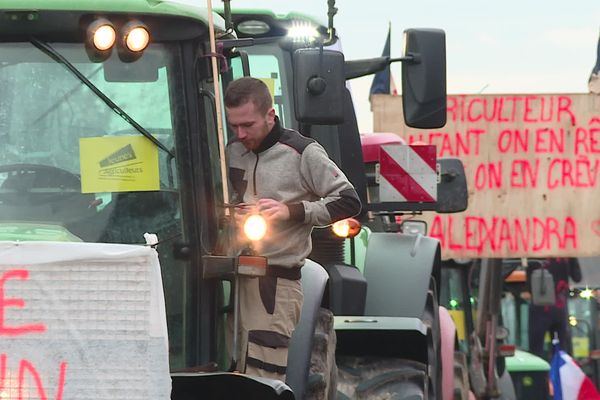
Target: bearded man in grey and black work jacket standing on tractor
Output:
{"points": [[289, 180]]}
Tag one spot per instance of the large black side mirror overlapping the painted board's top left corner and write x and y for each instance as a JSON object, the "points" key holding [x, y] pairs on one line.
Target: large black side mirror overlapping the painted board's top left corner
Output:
{"points": [[424, 78]]}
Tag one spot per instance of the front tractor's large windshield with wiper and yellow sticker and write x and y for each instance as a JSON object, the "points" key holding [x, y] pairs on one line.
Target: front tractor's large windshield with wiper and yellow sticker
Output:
{"points": [[72, 169]]}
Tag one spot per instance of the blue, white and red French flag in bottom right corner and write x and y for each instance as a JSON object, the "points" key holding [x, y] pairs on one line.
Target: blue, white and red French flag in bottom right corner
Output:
{"points": [[568, 380]]}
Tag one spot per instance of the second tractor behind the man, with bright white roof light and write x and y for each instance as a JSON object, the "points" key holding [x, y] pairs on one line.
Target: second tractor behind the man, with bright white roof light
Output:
{"points": [[385, 345]]}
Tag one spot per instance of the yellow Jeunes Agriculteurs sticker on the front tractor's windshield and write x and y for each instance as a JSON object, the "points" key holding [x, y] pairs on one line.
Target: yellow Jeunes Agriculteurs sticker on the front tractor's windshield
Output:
{"points": [[118, 164]]}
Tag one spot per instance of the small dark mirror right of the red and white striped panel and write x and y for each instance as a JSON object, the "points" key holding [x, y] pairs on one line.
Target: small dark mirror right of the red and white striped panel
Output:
{"points": [[453, 195]]}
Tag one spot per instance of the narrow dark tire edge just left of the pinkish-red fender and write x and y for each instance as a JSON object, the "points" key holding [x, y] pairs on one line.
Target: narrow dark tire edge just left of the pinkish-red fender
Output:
{"points": [[434, 352]]}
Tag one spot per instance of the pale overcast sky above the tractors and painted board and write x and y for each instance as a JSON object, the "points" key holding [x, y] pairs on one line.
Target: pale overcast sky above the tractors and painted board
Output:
{"points": [[508, 46]]}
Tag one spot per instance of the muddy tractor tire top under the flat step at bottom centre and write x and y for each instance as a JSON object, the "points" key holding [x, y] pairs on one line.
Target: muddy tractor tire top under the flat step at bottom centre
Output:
{"points": [[362, 378]]}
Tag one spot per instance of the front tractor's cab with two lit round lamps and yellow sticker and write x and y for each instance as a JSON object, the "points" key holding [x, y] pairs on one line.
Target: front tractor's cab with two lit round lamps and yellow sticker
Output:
{"points": [[97, 118]]}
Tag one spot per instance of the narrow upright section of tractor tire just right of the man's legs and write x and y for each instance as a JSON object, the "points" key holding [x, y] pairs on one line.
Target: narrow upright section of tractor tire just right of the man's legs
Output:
{"points": [[322, 376]]}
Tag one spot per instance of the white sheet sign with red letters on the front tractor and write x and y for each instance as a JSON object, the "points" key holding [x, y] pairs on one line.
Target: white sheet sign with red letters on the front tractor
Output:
{"points": [[82, 321]]}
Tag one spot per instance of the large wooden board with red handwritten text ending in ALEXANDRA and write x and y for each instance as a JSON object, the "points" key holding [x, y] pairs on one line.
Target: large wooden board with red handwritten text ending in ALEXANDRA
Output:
{"points": [[533, 170]]}
